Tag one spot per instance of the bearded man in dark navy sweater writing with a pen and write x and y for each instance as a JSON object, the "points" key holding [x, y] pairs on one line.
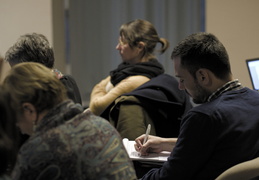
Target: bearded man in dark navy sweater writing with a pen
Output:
{"points": [[219, 133]]}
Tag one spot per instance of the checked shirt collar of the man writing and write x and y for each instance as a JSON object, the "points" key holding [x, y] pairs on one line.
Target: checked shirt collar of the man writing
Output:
{"points": [[229, 86]]}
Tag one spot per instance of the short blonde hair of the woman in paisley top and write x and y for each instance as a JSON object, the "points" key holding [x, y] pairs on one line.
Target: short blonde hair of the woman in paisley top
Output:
{"points": [[34, 83]]}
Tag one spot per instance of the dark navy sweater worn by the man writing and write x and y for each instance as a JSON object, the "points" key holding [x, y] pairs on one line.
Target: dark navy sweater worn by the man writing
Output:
{"points": [[214, 137]]}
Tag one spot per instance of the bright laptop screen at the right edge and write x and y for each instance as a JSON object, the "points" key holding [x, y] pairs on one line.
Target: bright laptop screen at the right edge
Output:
{"points": [[253, 69]]}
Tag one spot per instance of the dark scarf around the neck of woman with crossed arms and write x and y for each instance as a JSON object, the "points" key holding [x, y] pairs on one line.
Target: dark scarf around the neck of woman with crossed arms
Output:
{"points": [[149, 69]]}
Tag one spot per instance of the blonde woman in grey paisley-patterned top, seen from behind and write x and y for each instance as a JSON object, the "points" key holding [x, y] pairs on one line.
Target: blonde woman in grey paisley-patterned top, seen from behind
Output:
{"points": [[65, 141]]}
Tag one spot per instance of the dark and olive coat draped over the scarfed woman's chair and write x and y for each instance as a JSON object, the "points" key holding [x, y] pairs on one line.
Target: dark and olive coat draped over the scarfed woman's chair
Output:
{"points": [[158, 102]]}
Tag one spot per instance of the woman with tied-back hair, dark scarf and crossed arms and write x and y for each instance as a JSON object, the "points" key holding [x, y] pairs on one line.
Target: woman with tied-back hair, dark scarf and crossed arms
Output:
{"points": [[137, 43]]}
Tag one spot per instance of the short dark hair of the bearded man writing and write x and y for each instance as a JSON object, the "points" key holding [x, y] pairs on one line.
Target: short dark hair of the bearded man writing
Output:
{"points": [[203, 50]]}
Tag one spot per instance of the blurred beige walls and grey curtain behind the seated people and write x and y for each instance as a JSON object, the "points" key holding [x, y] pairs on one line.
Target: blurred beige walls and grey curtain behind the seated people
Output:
{"points": [[84, 33]]}
